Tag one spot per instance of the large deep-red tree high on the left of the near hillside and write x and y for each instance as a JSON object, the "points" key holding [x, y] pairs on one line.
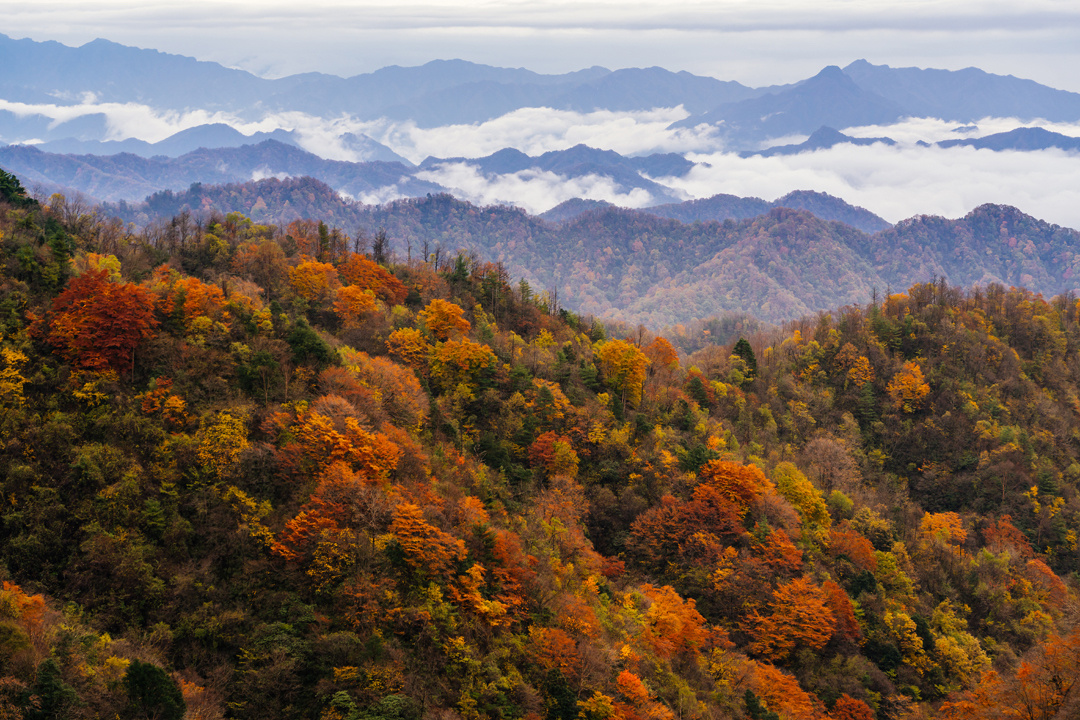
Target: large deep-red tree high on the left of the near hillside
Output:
{"points": [[97, 324]]}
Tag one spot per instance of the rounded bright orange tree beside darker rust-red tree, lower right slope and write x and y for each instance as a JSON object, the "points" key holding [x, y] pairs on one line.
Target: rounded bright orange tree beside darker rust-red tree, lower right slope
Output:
{"points": [[799, 618]]}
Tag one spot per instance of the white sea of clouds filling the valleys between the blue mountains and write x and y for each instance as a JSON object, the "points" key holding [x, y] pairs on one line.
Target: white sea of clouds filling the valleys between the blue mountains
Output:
{"points": [[895, 182]]}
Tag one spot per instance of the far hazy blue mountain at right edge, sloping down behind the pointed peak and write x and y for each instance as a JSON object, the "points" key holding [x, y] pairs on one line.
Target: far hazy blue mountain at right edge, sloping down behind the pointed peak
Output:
{"points": [[964, 96]]}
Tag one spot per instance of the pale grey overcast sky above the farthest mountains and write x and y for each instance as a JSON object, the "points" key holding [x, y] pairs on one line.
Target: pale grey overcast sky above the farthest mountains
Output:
{"points": [[754, 42]]}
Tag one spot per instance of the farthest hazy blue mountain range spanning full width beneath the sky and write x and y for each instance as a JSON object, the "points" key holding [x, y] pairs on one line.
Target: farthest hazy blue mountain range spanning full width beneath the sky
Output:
{"points": [[457, 92]]}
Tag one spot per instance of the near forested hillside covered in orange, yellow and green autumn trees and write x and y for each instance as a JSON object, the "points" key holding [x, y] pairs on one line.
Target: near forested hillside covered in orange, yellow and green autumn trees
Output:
{"points": [[249, 472]]}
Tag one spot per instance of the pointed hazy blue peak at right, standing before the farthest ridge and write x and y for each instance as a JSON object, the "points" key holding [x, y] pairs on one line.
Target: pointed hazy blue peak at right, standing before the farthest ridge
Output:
{"points": [[829, 99]]}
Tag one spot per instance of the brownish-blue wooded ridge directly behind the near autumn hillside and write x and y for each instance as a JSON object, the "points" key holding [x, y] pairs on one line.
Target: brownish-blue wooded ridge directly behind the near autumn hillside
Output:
{"points": [[639, 267]]}
